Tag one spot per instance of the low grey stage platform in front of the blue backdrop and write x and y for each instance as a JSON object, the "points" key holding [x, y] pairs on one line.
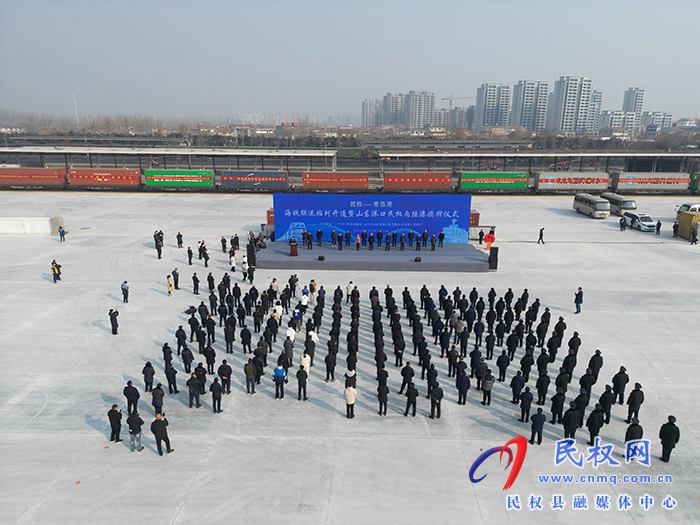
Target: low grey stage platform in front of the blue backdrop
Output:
{"points": [[449, 258]]}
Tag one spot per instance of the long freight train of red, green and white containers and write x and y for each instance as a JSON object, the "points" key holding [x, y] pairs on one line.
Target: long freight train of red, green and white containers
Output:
{"points": [[488, 182]]}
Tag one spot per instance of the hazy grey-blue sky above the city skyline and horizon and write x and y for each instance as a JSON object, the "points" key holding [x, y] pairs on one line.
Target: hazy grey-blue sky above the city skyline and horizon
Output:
{"points": [[206, 57]]}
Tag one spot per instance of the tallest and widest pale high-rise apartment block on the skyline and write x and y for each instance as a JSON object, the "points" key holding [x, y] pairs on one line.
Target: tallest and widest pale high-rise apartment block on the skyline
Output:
{"points": [[570, 105]]}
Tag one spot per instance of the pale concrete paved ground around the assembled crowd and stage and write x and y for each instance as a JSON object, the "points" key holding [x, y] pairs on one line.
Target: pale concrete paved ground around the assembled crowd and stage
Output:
{"points": [[266, 461]]}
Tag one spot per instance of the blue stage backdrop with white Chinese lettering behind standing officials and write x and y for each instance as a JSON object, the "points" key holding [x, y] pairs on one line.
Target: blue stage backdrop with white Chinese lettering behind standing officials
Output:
{"points": [[296, 212]]}
